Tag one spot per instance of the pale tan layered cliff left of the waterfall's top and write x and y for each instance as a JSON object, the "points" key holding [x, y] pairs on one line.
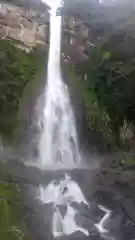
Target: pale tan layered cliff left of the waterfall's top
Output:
{"points": [[26, 25]]}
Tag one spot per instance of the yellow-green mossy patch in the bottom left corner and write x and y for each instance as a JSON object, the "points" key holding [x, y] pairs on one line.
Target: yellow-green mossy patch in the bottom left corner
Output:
{"points": [[11, 227]]}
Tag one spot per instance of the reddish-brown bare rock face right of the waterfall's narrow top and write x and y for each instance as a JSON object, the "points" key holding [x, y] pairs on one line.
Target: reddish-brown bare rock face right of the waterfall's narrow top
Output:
{"points": [[77, 39]]}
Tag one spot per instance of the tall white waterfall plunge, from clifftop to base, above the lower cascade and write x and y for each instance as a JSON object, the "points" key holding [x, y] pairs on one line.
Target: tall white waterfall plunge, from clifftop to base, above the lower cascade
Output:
{"points": [[58, 143]]}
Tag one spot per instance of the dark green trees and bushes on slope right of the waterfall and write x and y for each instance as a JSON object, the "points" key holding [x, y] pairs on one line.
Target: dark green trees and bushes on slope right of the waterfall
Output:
{"points": [[109, 92]]}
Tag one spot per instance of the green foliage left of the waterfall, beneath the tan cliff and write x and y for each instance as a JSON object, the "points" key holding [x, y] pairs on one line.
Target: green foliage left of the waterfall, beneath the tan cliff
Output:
{"points": [[16, 69]]}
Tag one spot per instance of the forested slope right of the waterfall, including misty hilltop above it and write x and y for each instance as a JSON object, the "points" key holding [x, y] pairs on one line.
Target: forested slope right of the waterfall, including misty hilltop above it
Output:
{"points": [[109, 93]]}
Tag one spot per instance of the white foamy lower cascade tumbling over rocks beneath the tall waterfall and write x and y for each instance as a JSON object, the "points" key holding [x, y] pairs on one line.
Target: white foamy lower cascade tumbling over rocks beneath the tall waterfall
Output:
{"points": [[64, 193]]}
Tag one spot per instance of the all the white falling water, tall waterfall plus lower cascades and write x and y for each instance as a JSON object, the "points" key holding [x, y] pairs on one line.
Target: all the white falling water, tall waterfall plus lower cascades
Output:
{"points": [[59, 143]]}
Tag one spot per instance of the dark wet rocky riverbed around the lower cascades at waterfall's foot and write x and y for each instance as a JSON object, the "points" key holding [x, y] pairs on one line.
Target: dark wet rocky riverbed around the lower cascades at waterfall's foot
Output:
{"points": [[100, 186]]}
